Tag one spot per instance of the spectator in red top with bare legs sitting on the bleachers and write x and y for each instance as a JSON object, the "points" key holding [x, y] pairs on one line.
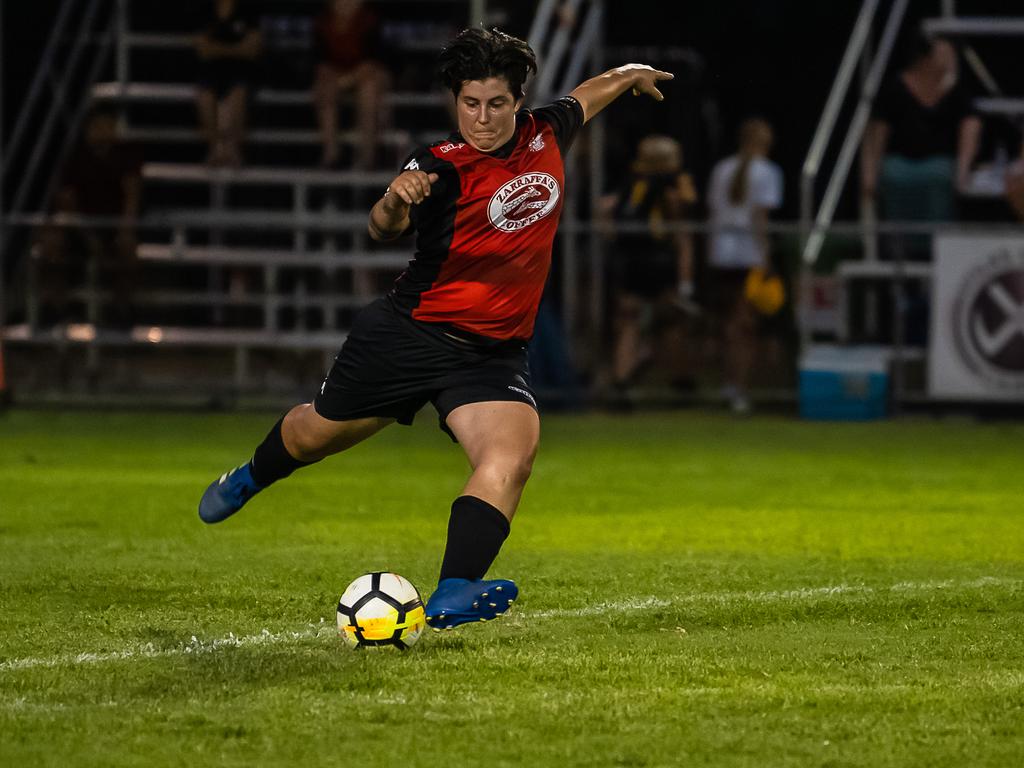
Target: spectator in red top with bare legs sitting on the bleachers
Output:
{"points": [[348, 38]]}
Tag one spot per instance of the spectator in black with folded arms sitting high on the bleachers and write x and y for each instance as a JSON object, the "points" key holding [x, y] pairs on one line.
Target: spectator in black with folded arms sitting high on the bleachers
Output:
{"points": [[228, 50]]}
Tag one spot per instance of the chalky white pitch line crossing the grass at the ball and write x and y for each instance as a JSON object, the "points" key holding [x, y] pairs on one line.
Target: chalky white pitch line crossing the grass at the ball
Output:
{"points": [[199, 648]]}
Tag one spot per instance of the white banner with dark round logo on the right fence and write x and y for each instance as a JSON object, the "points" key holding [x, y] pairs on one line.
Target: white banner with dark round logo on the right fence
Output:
{"points": [[976, 349]]}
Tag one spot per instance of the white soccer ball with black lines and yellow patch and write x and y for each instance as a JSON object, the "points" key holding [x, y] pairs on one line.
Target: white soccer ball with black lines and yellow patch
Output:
{"points": [[381, 610]]}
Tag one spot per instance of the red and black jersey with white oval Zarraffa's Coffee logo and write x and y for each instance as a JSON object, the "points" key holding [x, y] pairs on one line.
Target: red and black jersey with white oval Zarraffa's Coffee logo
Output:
{"points": [[485, 235]]}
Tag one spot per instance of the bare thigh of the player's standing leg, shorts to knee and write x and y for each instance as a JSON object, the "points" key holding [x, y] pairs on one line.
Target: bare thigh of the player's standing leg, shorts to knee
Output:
{"points": [[504, 433]]}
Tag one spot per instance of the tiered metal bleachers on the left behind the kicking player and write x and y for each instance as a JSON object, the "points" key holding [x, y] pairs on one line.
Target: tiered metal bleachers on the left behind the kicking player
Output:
{"points": [[260, 265]]}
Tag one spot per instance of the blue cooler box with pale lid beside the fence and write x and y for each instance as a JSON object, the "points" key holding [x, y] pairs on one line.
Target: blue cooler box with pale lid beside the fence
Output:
{"points": [[844, 383]]}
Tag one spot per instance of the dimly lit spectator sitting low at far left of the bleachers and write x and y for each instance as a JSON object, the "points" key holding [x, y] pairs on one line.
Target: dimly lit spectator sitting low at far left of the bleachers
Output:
{"points": [[102, 179]]}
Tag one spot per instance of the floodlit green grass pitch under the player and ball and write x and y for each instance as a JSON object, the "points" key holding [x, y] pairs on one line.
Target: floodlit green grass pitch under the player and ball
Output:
{"points": [[696, 590]]}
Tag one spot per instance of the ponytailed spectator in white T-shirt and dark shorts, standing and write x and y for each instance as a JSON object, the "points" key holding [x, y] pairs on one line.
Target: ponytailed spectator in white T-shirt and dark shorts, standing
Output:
{"points": [[744, 189]]}
